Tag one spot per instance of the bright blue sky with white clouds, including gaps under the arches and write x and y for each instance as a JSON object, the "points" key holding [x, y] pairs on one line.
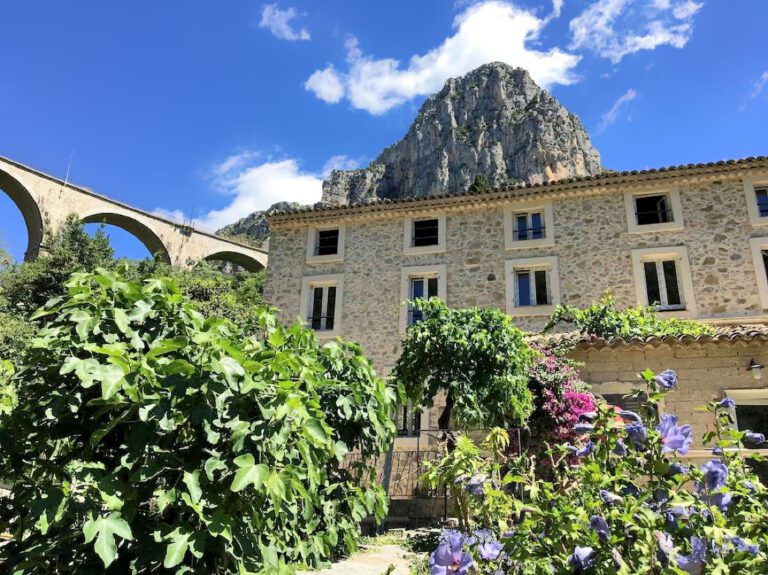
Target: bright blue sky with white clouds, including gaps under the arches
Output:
{"points": [[210, 110]]}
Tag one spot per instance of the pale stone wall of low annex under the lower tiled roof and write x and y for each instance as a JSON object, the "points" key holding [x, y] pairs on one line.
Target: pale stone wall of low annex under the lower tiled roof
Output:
{"points": [[704, 372]]}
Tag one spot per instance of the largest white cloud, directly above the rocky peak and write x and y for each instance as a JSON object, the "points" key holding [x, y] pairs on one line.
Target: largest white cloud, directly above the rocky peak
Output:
{"points": [[489, 31]]}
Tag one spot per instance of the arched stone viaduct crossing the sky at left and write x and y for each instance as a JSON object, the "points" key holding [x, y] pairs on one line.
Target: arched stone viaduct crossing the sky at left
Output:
{"points": [[45, 202]]}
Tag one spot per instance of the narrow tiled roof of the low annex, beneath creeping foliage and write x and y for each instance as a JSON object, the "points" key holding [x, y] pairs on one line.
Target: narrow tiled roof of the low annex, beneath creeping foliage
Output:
{"points": [[744, 333]]}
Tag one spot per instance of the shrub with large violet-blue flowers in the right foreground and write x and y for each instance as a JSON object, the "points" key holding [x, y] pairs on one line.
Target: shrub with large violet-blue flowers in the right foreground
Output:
{"points": [[620, 502]]}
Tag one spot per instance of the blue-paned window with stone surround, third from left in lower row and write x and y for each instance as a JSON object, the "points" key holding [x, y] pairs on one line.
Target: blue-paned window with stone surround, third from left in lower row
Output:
{"points": [[532, 286]]}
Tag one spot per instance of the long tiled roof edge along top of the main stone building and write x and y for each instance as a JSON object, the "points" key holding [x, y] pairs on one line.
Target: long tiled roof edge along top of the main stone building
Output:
{"points": [[608, 178]]}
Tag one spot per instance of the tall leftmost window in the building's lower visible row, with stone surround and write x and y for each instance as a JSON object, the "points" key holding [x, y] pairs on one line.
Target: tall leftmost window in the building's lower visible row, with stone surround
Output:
{"points": [[321, 303]]}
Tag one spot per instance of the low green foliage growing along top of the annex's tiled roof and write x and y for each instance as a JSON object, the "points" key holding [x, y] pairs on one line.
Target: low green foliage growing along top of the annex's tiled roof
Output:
{"points": [[604, 320]]}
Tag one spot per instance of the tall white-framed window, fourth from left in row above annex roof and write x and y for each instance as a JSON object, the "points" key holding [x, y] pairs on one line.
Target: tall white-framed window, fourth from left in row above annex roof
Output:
{"points": [[663, 279]]}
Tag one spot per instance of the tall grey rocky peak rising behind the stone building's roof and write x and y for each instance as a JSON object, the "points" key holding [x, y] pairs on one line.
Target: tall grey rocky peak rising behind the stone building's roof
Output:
{"points": [[495, 122]]}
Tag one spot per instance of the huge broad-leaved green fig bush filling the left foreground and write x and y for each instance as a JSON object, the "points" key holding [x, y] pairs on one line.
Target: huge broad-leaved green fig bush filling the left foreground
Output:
{"points": [[147, 438]]}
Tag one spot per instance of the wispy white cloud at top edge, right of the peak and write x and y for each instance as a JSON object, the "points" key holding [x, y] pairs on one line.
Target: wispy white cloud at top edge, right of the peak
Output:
{"points": [[616, 28]]}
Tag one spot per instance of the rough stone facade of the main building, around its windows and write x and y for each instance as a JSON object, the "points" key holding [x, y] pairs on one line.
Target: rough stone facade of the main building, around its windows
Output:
{"points": [[592, 243]]}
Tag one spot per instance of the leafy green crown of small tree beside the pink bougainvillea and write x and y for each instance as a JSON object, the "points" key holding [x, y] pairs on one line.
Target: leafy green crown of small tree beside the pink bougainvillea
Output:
{"points": [[477, 357]]}
